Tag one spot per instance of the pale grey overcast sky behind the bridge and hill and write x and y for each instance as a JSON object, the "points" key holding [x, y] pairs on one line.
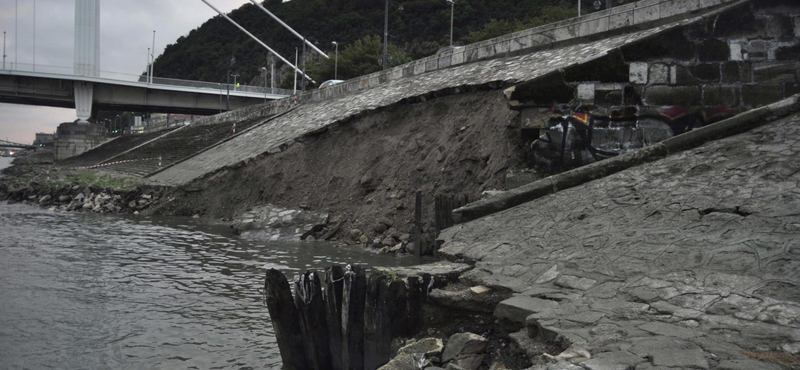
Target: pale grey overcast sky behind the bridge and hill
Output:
{"points": [[126, 31]]}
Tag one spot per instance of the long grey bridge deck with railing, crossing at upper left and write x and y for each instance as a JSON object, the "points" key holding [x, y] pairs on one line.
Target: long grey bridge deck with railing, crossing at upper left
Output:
{"points": [[56, 87]]}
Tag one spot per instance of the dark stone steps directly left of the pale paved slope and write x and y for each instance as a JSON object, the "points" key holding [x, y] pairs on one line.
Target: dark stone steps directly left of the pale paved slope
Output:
{"points": [[175, 147]]}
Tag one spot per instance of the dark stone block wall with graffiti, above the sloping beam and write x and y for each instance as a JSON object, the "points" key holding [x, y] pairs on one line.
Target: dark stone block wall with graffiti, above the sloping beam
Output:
{"points": [[729, 61]]}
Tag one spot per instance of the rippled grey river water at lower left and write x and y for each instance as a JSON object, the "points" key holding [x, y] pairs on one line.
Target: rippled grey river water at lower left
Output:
{"points": [[86, 291]]}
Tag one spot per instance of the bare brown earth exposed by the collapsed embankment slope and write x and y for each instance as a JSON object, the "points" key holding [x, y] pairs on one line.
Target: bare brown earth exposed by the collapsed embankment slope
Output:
{"points": [[365, 172]]}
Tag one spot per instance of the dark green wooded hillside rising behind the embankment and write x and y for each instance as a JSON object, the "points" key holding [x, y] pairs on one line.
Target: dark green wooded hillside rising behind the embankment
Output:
{"points": [[357, 25]]}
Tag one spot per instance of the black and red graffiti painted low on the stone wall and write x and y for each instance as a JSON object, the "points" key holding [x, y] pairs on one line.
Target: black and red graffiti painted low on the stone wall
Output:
{"points": [[577, 137]]}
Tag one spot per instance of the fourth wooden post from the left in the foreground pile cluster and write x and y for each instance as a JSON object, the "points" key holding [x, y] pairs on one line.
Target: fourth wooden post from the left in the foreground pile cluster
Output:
{"points": [[353, 297]]}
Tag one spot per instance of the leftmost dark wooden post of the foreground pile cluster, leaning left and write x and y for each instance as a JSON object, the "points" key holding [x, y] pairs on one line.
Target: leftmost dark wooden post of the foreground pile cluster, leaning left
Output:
{"points": [[285, 321]]}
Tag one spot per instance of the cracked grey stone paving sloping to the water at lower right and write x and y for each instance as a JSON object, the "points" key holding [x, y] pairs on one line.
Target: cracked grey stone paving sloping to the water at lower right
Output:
{"points": [[681, 263]]}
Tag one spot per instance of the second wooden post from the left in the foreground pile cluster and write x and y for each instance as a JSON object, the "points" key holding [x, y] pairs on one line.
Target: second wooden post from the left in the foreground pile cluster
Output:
{"points": [[313, 326]]}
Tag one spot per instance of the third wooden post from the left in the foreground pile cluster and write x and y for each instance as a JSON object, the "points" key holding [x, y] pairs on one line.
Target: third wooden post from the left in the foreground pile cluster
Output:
{"points": [[334, 284]]}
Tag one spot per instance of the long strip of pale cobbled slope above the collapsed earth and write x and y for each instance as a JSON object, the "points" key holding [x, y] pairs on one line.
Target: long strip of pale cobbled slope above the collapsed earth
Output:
{"points": [[282, 131]]}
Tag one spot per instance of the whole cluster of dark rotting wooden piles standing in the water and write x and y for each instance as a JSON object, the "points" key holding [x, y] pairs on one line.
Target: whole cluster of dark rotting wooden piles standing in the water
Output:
{"points": [[349, 323]]}
